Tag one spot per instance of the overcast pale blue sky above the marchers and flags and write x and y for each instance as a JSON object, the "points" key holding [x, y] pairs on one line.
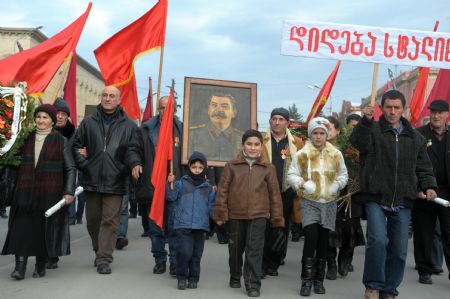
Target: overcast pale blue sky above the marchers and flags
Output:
{"points": [[237, 40]]}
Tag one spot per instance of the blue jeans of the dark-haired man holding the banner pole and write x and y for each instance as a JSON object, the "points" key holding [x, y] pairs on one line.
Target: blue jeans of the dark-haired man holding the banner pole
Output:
{"points": [[386, 248]]}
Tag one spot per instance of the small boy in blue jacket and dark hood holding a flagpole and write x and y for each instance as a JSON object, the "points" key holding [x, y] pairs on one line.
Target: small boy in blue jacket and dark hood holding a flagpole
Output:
{"points": [[193, 197]]}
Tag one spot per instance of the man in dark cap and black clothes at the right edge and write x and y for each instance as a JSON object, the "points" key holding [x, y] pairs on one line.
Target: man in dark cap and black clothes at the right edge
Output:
{"points": [[425, 213]]}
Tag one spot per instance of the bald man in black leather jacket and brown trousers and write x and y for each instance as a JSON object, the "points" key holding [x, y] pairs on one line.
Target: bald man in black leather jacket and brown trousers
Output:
{"points": [[106, 136]]}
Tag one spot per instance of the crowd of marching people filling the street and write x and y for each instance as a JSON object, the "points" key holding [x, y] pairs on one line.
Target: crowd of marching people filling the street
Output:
{"points": [[275, 181]]}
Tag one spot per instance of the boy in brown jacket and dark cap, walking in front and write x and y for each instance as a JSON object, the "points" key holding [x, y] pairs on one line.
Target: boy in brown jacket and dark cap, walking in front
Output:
{"points": [[248, 195]]}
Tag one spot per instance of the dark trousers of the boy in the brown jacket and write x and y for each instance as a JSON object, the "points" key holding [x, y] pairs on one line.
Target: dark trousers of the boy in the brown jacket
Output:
{"points": [[246, 236]]}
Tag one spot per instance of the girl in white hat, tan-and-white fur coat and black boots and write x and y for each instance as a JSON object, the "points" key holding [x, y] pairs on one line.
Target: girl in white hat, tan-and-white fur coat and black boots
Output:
{"points": [[317, 173]]}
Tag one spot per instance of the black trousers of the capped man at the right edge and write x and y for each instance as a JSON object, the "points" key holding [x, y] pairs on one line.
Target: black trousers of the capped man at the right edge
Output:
{"points": [[424, 216]]}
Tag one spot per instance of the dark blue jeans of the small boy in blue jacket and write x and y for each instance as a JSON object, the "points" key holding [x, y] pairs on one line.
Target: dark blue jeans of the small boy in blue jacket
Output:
{"points": [[189, 253]]}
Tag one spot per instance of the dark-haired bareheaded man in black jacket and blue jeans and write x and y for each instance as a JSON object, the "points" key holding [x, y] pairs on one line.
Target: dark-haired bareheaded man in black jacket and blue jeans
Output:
{"points": [[394, 165]]}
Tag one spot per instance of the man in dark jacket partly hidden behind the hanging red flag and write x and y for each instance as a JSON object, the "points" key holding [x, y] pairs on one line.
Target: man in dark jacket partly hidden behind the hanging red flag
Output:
{"points": [[143, 155]]}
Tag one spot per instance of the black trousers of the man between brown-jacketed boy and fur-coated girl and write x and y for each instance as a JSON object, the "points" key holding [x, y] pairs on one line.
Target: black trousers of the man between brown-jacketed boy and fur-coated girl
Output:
{"points": [[272, 259]]}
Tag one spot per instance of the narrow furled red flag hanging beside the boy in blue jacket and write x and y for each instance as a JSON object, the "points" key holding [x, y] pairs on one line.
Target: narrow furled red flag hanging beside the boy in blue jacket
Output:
{"points": [[163, 155]]}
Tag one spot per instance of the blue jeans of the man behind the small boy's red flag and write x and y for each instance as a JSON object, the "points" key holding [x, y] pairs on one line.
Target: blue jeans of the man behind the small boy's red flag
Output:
{"points": [[158, 237]]}
